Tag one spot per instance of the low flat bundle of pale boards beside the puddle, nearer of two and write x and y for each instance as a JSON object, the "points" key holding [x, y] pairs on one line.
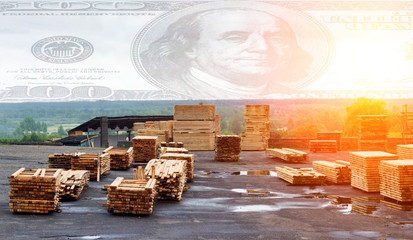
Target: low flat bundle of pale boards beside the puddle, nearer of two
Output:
{"points": [[301, 176]]}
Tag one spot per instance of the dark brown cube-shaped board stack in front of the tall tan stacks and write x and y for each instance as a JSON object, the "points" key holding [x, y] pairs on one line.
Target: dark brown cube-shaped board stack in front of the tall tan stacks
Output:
{"points": [[228, 148]]}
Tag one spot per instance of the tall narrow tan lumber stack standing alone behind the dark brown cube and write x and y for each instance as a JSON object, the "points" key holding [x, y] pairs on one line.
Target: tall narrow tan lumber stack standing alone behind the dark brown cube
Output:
{"points": [[257, 125]]}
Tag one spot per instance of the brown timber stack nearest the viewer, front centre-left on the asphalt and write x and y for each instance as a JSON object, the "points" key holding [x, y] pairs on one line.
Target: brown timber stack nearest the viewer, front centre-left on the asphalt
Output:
{"points": [[131, 196]]}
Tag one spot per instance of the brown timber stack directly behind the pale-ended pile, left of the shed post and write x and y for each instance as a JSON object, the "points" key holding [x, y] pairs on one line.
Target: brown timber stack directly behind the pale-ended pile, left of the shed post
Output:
{"points": [[96, 164]]}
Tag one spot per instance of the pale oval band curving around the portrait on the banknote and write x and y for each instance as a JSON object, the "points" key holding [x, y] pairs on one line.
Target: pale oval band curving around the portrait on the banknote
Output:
{"points": [[312, 36]]}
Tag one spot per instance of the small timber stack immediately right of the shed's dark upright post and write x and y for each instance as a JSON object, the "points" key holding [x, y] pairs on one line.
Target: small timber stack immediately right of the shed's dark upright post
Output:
{"points": [[120, 158]]}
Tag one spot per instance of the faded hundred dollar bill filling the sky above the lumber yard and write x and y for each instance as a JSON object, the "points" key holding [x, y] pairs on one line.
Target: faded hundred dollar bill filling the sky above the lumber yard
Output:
{"points": [[167, 50]]}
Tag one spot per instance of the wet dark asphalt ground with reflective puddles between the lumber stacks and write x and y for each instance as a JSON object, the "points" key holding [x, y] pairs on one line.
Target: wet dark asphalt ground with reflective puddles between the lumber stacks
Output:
{"points": [[223, 202]]}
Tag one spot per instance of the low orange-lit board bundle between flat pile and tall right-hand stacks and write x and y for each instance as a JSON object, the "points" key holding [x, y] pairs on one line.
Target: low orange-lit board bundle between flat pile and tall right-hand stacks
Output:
{"points": [[338, 172]]}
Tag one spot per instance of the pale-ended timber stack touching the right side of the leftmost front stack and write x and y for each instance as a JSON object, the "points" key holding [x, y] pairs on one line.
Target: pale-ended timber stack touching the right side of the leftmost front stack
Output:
{"points": [[72, 183]]}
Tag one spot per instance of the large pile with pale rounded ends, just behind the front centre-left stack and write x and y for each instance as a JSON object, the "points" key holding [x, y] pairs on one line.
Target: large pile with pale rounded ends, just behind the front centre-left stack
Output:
{"points": [[170, 176]]}
